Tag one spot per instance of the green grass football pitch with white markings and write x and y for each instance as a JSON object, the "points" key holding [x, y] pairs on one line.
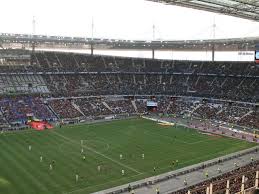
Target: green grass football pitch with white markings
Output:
{"points": [[21, 171]]}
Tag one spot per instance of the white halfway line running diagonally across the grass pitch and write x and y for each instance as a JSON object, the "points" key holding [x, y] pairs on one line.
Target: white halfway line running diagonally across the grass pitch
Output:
{"points": [[96, 152]]}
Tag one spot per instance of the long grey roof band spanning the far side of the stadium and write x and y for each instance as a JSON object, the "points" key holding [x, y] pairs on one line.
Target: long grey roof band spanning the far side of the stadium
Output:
{"points": [[41, 41]]}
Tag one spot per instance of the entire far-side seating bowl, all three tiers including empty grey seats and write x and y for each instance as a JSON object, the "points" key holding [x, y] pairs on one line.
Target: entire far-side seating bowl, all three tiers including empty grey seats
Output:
{"points": [[57, 75]]}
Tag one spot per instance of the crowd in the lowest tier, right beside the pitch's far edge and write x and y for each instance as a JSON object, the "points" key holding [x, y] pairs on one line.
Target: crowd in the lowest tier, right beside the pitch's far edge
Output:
{"points": [[16, 108]]}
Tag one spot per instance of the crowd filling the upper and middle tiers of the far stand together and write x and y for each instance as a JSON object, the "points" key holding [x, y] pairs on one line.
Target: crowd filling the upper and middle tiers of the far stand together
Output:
{"points": [[71, 74]]}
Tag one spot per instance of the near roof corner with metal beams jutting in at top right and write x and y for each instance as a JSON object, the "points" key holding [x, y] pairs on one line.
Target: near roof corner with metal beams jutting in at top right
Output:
{"points": [[247, 9]]}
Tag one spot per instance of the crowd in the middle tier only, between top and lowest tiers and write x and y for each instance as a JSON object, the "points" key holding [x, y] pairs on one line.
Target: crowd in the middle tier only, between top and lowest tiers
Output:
{"points": [[145, 84]]}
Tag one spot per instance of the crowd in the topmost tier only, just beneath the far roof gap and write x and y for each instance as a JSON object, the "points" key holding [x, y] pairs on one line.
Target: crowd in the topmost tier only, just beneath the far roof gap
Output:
{"points": [[97, 63]]}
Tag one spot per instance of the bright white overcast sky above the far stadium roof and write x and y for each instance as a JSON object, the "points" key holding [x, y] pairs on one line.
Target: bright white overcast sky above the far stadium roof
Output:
{"points": [[119, 19]]}
